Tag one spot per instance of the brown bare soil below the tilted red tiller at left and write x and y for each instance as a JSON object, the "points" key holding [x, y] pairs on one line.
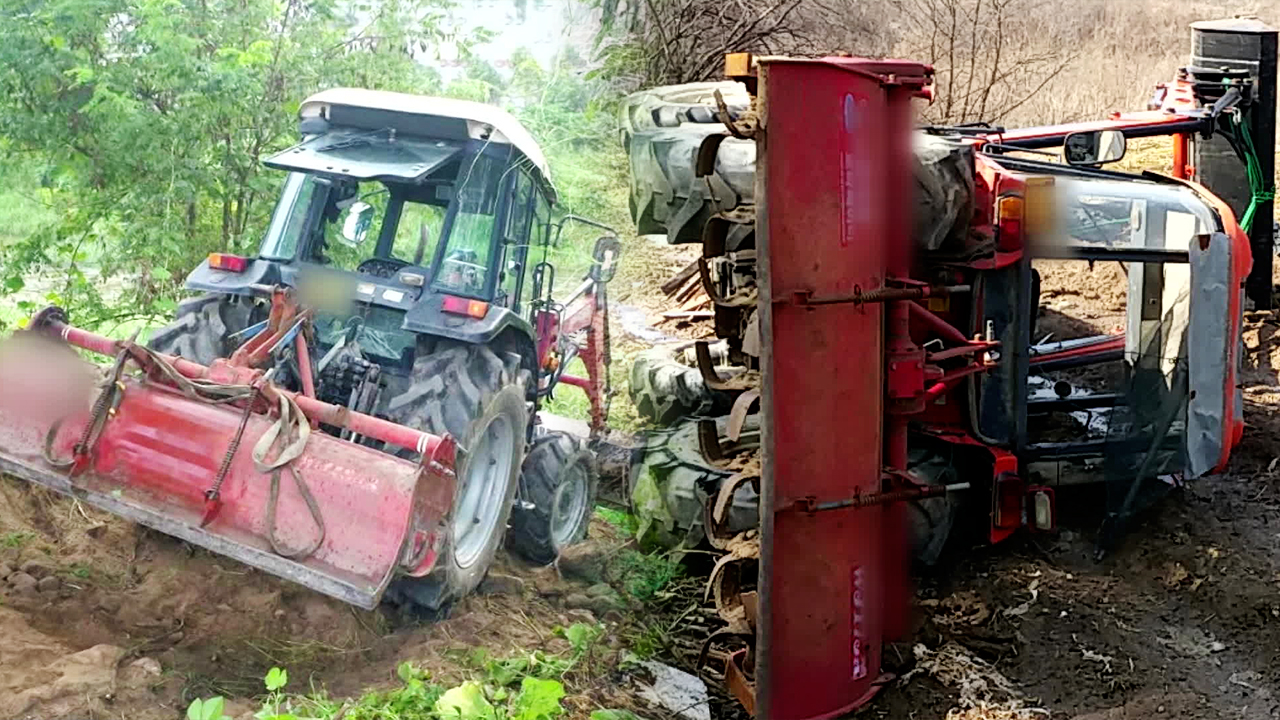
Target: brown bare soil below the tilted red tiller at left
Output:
{"points": [[129, 623]]}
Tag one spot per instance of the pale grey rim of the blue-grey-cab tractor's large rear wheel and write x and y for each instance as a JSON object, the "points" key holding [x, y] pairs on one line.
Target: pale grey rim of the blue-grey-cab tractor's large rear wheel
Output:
{"points": [[483, 491]]}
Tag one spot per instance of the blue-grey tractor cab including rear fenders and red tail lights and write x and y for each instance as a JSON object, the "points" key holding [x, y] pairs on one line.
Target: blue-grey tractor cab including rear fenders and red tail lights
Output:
{"points": [[400, 217]]}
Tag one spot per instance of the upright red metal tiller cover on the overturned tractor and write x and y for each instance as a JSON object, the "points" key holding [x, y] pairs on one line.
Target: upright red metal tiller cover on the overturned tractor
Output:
{"points": [[838, 135]]}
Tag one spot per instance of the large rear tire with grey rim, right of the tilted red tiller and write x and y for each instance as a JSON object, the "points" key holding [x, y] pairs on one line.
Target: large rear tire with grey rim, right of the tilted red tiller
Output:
{"points": [[477, 397]]}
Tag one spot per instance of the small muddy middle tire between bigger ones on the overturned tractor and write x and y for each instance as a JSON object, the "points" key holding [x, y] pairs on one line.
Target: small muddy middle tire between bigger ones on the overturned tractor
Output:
{"points": [[665, 390]]}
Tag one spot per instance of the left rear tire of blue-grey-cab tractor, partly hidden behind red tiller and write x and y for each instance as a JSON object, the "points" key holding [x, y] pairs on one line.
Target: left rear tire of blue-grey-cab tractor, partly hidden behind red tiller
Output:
{"points": [[203, 327]]}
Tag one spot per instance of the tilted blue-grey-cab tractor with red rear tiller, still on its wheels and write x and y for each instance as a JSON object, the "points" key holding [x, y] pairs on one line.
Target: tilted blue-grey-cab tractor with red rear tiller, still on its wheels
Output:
{"points": [[356, 407]]}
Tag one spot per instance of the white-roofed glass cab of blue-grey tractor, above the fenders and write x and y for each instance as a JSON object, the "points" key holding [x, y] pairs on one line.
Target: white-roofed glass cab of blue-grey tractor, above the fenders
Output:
{"points": [[427, 193]]}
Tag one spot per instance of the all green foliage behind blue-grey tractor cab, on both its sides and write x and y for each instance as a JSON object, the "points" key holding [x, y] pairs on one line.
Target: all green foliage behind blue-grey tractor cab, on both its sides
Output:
{"points": [[132, 131]]}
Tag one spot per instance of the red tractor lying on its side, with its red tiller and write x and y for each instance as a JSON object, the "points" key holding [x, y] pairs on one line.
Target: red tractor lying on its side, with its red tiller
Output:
{"points": [[903, 385]]}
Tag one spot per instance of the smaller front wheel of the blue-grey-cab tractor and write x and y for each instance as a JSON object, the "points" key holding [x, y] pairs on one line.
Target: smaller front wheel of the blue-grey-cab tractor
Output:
{"points": [[557, 495]]}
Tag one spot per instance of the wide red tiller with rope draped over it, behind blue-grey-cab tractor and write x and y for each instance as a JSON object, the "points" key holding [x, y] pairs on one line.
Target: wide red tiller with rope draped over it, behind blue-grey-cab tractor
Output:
{"points": [[156, 448]]}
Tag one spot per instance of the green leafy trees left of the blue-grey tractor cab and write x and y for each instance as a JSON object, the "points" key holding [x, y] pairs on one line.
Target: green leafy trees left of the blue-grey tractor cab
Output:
{"points": [[152, 117]]}
